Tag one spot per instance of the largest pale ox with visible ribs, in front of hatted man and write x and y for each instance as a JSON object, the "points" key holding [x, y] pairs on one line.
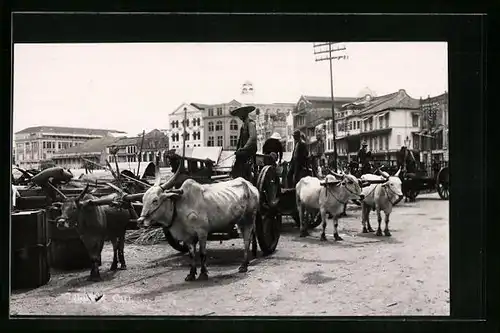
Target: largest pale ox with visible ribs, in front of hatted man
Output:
{"points": [[195, 210]]}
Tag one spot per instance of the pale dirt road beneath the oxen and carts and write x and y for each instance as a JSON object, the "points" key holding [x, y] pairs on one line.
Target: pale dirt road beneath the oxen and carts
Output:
{"points": [[406, 274]]}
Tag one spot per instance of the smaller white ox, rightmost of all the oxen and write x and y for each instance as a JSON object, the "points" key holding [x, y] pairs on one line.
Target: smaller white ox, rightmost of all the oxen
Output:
{"points": [[378, 197]]}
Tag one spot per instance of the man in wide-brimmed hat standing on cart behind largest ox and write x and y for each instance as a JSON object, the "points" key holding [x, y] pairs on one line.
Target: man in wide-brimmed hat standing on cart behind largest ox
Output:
{"points": [[247, 144]]}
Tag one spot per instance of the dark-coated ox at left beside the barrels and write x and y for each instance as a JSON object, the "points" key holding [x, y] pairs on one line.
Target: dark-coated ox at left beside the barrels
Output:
{"points": [[95, 223]]}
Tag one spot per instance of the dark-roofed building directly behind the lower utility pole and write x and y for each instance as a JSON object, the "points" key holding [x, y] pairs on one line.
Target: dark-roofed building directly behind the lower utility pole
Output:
{"points": [[311, 111]]}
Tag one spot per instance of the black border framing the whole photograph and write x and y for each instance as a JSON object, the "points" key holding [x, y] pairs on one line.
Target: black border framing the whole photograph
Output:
{"points": [[466, 37]]}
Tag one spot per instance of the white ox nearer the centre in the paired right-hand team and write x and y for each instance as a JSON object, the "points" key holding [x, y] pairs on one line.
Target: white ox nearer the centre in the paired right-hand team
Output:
{"points": [[328, 196]]}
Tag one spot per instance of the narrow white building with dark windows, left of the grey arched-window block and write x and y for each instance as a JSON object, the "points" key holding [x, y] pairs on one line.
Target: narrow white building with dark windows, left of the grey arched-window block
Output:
{"points": [[194, 126]]}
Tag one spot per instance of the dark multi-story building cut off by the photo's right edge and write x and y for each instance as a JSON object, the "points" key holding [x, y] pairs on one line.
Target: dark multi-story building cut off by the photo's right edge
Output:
{"points": [[433, 137]]}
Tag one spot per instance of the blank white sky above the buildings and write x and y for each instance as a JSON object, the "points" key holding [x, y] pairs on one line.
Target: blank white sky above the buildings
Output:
{"points": [[132, 87]]}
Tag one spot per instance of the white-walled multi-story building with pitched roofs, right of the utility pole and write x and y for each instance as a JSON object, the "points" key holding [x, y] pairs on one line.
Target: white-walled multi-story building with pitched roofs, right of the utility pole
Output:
{"points": [[385, 122]]}
